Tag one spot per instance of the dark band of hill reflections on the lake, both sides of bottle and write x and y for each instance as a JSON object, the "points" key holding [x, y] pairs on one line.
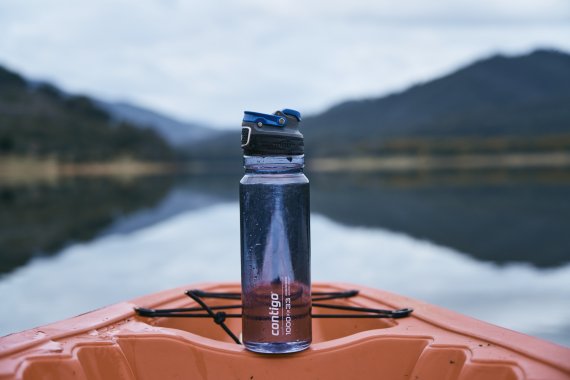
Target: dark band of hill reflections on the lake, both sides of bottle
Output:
{"points": [[500, 216]]}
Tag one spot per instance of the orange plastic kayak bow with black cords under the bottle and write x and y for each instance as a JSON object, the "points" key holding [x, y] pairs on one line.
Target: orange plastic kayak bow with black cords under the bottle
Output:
{"points": [[432, 343]]}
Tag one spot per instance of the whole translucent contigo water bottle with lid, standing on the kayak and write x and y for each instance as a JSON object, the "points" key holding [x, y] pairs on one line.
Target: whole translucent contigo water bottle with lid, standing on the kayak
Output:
{"points": [[275, 235]]}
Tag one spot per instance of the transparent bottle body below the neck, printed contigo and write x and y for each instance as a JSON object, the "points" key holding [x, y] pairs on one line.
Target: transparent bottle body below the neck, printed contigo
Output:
{"points": [[276, 291]]}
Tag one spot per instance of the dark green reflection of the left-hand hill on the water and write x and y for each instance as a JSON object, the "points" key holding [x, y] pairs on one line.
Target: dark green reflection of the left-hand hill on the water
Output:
{"points": [[41, 219]]}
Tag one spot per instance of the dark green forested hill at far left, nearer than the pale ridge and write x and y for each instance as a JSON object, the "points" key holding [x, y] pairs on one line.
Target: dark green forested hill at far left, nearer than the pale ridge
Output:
{"points": [[40, 120]]}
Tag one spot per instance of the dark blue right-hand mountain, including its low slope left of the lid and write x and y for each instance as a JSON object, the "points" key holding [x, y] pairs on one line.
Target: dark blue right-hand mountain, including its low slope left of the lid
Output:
{"points": [[519, 103]]}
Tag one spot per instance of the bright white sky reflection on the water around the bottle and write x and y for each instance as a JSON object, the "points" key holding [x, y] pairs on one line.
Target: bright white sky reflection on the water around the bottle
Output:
{"points": [[203, 245]]}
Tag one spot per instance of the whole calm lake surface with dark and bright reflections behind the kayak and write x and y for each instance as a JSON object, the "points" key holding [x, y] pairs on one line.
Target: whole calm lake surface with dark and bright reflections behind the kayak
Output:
{"points": [[492, 244]]}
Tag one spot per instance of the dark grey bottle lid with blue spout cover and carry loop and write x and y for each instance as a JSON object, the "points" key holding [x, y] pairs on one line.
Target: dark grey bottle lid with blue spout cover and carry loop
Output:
{"points": [[274, 134]]}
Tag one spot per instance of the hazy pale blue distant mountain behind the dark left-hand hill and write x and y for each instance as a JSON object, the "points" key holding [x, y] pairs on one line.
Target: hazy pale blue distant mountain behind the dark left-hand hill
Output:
{"points": [[176, 132]]}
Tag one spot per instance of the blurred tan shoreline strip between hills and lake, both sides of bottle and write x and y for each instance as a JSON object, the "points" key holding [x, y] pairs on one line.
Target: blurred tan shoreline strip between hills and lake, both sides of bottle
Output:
{"points": [[31, 170]]}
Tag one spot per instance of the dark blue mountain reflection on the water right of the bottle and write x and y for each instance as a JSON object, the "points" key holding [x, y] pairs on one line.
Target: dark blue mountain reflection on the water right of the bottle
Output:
{"points": [[499, 216]]}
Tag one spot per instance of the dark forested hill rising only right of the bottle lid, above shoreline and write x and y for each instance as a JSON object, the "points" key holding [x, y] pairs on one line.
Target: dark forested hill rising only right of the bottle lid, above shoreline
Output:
{"points": [[522, 96]]}
